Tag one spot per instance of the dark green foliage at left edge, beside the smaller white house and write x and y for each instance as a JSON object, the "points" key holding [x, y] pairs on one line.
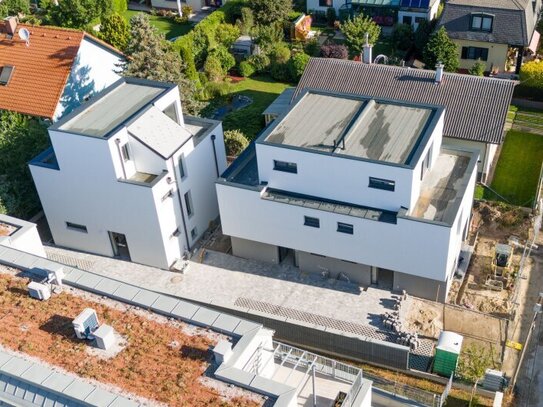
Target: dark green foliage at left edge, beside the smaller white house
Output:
{"points": [[21, 139]]}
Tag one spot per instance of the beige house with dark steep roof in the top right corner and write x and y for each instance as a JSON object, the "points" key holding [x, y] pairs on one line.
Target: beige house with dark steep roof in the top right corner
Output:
{"points": [[490, 30]]}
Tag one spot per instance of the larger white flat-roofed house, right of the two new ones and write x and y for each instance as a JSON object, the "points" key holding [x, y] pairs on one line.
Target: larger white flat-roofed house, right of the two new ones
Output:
{"points": [[353, 187]]}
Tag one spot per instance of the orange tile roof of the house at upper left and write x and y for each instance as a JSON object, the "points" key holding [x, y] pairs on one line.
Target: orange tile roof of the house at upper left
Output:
{"points": [[41, 68]]}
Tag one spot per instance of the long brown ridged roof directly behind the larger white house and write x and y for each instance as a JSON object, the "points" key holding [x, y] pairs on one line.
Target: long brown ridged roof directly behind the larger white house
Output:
{"points": [[475, 107]]}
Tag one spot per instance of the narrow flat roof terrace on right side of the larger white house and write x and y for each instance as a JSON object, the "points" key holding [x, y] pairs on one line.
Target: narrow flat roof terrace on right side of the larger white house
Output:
{"points": [[444, 186]]}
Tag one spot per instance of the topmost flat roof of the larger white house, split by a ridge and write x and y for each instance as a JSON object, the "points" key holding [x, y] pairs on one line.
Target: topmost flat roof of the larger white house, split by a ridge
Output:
{"points": [[355, 126]]}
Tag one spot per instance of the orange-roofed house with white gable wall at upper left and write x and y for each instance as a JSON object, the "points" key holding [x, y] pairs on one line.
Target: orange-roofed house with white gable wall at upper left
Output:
{"points": [[54, 71]]}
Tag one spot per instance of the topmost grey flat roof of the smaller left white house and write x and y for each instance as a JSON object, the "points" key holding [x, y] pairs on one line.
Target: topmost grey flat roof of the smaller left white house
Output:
{"points": [[115, 105]]}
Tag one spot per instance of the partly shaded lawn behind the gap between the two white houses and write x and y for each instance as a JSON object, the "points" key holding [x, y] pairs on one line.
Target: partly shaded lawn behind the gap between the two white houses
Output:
{"points": [[263, 90]]}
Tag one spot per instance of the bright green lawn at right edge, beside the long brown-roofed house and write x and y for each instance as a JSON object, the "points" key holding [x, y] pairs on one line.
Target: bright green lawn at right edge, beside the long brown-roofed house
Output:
{"points": [[518, 168]]}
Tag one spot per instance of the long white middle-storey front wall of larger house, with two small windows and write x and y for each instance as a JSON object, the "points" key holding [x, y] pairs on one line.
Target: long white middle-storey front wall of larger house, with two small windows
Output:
{"points": [[418, 248]]}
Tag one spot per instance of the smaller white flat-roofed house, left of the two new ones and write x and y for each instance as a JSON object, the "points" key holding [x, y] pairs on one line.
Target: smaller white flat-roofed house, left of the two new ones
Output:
{"points": [[129, 176]]}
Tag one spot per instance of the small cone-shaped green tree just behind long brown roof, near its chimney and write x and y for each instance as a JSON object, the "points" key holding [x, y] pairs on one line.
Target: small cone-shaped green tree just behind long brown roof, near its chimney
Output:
{"points": [[440, 48]]}
